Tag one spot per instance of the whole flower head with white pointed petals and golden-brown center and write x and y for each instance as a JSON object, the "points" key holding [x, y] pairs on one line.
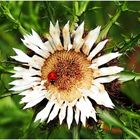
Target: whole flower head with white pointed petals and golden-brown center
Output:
{"points": [[70, 101]]}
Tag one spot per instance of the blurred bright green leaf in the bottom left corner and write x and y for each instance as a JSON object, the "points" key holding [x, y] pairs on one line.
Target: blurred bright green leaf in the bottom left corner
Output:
{"points": [[13, 120]]}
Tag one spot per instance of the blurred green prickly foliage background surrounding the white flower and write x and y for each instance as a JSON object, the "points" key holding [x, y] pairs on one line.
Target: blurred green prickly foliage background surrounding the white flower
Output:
{"points": [[120, 23]]}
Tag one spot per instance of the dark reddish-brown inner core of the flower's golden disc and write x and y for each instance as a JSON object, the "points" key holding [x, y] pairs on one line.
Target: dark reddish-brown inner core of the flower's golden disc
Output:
{"points": [[67, 71]]}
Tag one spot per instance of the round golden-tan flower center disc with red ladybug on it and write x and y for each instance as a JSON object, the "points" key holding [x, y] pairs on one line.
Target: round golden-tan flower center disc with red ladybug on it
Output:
{"points": [[66, 72]]}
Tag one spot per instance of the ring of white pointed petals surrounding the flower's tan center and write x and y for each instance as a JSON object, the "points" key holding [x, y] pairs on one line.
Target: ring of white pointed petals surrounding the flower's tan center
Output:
{"points": [[31, 85]]}
